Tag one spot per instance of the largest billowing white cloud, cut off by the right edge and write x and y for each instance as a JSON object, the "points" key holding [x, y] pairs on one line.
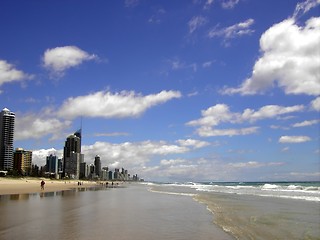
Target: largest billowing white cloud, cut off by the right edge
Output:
{"points": [[289, 60]]}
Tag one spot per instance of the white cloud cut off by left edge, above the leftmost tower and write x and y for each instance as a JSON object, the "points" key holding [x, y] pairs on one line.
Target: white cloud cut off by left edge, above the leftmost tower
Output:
{"points": [[8, 73]]}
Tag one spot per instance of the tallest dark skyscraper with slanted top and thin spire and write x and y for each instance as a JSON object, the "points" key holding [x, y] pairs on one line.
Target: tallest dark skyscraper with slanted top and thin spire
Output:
{"points": [[72, 157]]}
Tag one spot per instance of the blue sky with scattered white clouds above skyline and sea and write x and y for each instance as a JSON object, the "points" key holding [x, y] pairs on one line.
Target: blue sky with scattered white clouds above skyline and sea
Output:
{"points": [[193, 90]]}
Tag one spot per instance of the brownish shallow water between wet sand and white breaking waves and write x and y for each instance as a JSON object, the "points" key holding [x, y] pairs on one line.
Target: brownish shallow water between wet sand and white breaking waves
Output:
{"points": [[248, 216]]}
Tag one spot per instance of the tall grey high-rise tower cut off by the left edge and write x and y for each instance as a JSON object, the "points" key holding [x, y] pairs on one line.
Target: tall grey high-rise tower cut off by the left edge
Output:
{"points": [[7, 119]]}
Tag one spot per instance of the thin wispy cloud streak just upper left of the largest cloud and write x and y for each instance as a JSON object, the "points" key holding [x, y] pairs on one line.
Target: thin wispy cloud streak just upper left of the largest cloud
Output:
{"points": [[236, 30]]}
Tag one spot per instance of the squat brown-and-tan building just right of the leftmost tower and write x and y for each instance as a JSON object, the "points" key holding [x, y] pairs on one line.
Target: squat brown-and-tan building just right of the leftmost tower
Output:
{"points": [[22, 160]]}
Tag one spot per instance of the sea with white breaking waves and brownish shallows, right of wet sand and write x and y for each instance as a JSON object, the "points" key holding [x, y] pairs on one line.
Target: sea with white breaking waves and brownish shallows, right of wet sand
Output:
{"points": [[284, 210]]}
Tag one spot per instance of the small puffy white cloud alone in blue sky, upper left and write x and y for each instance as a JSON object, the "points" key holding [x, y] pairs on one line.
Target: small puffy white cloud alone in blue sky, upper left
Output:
{"points": [[59, 59]]}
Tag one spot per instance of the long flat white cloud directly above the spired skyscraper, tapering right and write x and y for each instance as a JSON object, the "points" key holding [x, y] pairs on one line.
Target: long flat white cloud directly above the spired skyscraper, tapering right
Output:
{"points": [[113, 105]]}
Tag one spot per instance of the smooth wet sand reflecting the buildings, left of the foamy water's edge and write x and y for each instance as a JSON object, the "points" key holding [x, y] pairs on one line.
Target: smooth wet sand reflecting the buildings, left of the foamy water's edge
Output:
{"points": [[131, 212]]}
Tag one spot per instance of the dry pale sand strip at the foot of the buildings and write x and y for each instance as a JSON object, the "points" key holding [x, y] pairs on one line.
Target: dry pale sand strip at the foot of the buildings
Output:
{"points": [[32, 185]]}
